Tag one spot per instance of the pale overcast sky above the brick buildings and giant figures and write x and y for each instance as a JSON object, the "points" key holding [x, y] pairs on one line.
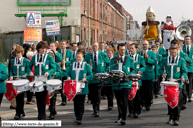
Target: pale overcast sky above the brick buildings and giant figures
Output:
{"points": [[176, 8]]}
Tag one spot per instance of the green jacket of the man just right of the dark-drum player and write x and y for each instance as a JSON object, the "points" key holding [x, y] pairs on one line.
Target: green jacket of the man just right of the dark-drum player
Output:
{"points": [[139, 63]]}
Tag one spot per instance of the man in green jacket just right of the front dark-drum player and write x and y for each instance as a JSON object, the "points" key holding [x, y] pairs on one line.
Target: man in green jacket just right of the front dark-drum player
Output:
{"points": [[134, 105]]}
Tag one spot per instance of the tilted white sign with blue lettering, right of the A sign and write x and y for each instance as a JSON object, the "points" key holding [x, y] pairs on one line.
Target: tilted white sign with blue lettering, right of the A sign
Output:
{"points": [[52, 27]]}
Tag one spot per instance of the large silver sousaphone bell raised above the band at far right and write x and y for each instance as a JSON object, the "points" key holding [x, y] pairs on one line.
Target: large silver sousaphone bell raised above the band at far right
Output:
{"points": [[183, 31]]}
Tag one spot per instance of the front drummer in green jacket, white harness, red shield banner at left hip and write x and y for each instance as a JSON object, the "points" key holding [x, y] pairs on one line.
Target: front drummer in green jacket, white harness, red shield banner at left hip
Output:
{"points": [[84, 75]]}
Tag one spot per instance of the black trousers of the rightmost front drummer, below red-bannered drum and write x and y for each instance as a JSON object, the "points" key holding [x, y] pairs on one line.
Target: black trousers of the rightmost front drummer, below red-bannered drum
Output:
{"points": [[175, 112]]}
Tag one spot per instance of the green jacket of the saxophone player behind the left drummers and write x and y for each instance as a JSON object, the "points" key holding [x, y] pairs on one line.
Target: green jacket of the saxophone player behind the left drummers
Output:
{"points": [[69, 57]]}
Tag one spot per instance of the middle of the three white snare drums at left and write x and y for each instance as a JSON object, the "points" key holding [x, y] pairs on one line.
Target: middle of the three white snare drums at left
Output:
{"points": [[36, 86]]}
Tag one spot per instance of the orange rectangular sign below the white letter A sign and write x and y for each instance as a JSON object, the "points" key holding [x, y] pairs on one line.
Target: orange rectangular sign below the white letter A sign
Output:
{"points": [[32, 36]]}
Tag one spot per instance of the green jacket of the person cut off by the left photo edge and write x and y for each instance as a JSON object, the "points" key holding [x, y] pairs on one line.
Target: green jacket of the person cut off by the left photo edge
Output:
{"points": [[3, 77]]}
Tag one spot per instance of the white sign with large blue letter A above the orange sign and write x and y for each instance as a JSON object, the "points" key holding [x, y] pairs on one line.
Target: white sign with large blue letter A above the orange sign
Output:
{"points": [[33, 19]]}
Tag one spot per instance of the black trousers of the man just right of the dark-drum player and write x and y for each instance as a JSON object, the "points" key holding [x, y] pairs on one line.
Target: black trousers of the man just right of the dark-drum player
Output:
{"points": [[134, 105]]}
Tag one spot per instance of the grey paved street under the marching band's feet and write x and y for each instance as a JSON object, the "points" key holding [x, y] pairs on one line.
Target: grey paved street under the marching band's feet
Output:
{"points": [[155, 118]]}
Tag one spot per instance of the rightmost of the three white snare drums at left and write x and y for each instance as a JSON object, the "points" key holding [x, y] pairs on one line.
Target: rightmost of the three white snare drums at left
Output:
{"points": [[53, 84]]}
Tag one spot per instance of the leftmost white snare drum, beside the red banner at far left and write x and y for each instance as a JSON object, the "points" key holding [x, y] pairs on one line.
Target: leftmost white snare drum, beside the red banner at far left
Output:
{"points": [[21, 85]]}
